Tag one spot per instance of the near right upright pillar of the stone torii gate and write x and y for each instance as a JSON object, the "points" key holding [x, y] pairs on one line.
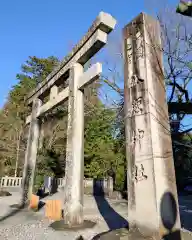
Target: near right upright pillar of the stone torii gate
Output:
{"points": [[75, 151]]}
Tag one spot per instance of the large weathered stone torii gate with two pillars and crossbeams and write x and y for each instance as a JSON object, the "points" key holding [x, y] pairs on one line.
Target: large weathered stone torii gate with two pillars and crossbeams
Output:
{"points": [[70, 68]]}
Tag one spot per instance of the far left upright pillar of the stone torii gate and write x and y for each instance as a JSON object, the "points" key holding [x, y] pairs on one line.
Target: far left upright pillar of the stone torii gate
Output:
{"points": [[31, 153]]}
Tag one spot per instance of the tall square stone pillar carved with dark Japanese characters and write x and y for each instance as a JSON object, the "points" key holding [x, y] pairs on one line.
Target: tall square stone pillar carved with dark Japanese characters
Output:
{"points": [[152, 195]]}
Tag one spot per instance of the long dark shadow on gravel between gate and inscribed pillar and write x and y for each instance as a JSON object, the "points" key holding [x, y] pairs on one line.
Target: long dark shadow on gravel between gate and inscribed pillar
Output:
{"points": [[111, 217]]}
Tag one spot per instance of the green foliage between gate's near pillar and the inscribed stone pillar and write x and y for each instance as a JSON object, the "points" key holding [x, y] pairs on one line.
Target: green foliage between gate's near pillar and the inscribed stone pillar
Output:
{"points": [[101, 155]]}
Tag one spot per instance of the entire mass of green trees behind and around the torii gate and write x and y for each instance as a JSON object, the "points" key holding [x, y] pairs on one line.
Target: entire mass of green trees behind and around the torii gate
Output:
{"points": [[101, 143]]}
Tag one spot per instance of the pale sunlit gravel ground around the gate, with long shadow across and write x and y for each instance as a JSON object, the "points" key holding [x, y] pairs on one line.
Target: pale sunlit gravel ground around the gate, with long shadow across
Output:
{"points": [[107, 214]]}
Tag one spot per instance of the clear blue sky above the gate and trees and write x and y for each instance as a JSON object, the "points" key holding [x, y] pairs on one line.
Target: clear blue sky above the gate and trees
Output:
{"points": [[47, 27]]}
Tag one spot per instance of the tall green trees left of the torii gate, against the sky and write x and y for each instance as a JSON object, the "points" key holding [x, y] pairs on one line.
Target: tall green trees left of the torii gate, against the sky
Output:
{"points": [[13, 114]]}
